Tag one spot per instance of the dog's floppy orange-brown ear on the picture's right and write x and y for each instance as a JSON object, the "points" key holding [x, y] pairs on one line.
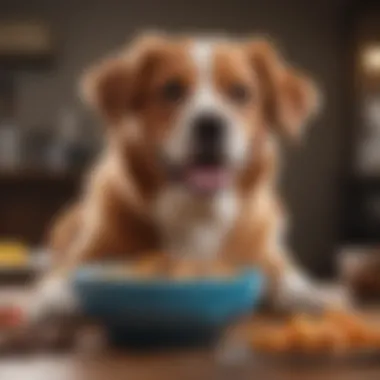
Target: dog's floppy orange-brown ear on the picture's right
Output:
{"points": [[289, 98]]}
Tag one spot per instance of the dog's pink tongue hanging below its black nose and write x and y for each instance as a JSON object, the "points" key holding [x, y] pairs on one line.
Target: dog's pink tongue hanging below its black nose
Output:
{"points": [[207, 179]]}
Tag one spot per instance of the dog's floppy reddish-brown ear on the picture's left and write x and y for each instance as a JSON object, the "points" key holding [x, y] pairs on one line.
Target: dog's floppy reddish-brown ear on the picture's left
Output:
{"points": [[114, 87]]}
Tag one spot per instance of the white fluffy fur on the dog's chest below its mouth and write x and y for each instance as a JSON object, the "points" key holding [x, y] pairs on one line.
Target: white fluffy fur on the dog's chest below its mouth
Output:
{"points": [[194, 226]]}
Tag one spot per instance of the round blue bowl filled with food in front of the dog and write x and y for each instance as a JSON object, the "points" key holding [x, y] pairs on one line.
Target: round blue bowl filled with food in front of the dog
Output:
{"points": [[163, 311]]}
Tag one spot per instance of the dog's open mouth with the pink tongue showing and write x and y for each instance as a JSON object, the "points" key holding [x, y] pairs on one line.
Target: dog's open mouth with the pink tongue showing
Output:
{"points": [[206, 179]]}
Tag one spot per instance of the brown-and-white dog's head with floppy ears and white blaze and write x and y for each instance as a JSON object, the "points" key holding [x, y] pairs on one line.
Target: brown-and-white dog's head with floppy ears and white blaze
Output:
{"points": [[202, 105]]}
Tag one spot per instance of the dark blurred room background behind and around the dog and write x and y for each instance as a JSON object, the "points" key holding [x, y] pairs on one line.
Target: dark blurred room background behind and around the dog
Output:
{"points": [[331, 182]]}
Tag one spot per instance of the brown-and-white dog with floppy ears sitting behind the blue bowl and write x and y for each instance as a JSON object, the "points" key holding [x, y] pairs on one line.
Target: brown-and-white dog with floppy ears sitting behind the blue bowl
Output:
{"points": [[191, 160]]}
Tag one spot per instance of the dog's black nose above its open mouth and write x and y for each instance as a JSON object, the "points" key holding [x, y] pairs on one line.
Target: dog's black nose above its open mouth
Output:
{"points": [[209, 129]]}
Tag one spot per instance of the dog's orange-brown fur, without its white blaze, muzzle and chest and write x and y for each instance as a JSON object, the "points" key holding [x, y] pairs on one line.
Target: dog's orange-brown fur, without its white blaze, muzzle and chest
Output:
{"points": [[114, 215]]}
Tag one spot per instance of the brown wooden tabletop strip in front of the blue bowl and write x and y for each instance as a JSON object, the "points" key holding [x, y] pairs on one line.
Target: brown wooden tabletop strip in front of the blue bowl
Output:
{"points": [[169, 366]]}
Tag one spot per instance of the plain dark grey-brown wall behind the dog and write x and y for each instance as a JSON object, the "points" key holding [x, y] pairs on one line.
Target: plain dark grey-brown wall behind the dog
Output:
{"points": [[308, 32]]}
